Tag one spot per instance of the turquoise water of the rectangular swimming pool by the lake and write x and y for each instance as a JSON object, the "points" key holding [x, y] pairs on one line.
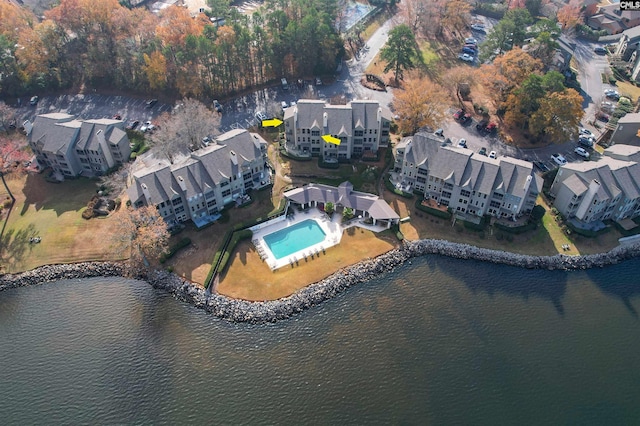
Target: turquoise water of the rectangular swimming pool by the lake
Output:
{"points": [[294, 238]]}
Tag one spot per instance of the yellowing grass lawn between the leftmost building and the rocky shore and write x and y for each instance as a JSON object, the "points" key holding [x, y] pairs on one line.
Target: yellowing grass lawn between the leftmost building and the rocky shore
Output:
{"points": [[53, 213]]}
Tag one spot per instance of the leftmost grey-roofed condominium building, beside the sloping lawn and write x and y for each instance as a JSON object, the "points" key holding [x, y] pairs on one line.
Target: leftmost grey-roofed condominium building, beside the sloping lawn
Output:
{"points": [[73, 147]]}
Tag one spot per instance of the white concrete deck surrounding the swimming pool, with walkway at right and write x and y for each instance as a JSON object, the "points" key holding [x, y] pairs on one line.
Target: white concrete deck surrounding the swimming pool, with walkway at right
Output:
{"points": [[332, 227]]}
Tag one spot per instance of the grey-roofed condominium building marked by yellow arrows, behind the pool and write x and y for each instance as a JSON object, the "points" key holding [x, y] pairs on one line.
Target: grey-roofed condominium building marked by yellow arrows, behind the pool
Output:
{"points": [[362, 127]]}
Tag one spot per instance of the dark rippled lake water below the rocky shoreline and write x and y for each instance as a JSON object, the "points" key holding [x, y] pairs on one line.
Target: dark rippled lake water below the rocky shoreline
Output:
{"points": [[440, 341]]}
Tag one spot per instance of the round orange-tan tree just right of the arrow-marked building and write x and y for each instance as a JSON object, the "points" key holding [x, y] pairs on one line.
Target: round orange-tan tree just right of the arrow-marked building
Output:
{"points": [[420, 103]]}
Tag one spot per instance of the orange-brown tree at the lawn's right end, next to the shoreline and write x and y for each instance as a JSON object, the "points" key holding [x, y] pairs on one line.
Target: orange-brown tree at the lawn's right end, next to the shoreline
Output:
{"points": [[144, 232]]}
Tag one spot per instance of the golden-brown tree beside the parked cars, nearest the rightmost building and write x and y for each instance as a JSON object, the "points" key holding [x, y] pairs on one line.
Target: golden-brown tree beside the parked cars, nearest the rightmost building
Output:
{"points": [[558, 117]]}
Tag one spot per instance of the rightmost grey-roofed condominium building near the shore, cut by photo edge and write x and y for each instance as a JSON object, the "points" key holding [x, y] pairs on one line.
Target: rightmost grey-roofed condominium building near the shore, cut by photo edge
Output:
{"points": [[608, 188]]}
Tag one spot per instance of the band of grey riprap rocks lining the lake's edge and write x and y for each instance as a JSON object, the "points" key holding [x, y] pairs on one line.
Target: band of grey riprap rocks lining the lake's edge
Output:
{"points": [[236, 310]]}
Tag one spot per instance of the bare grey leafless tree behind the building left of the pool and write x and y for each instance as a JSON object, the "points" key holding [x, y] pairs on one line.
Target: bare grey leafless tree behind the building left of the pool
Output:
{"points": [[184, 128]]}
